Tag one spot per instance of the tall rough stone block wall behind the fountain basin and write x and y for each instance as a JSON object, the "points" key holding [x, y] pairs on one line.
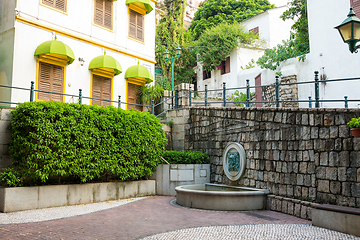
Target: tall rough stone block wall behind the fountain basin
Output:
{"points": [[303, 154]]}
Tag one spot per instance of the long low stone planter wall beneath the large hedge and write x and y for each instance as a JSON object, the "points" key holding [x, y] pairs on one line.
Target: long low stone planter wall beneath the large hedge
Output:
{"points": [[24, 198]]}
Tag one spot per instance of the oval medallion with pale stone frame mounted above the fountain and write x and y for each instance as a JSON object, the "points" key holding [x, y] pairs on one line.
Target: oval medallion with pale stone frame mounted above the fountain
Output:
{"points": [[234, 161]]}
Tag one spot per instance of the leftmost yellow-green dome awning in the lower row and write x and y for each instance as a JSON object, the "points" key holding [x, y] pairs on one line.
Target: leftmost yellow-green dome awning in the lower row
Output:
{"points": [[55, 47]]}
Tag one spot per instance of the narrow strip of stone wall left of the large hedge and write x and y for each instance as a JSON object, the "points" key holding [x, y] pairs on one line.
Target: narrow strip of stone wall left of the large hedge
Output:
{"points": [[5, 137]]}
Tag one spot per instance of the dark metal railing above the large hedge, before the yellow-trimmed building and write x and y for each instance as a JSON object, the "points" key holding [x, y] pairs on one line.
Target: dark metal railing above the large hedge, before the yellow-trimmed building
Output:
{"points": [[80, 97]]}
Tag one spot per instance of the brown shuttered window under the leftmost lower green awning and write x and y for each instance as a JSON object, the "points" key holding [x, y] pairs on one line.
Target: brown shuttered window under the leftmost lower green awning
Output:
{"points": [[51, 79]]}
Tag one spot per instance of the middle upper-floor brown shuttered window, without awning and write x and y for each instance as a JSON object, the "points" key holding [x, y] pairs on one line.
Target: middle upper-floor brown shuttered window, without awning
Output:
{"points": [[103, 13]]}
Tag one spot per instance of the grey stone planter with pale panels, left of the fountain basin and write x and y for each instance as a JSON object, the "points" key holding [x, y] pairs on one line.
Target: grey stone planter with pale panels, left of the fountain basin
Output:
{"points": [[170, 176]]}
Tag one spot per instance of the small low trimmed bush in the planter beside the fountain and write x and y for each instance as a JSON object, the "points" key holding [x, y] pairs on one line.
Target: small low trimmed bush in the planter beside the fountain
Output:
{"points": [[186, 157]]}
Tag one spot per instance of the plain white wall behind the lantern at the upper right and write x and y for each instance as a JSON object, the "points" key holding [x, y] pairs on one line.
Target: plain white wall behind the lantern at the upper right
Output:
{"points": [[328, 54]]}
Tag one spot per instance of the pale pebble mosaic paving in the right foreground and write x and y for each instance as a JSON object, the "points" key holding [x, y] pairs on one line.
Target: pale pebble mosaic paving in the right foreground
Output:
{"points": [[254, 231]]}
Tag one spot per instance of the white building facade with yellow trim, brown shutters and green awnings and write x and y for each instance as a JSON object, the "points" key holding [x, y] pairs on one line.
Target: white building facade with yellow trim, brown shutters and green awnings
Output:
{"points": [[125, 30]]}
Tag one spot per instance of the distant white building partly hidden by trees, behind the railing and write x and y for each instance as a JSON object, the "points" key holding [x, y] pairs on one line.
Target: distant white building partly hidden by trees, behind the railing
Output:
{"points": [[270, 29]]}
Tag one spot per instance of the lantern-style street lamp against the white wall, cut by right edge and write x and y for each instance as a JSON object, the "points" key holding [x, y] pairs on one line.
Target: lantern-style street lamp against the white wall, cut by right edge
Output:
{"points": [[349, 30]]}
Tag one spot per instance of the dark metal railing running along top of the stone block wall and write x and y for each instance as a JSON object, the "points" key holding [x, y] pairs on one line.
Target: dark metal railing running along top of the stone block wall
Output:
{"points": [[277, 100]]}
